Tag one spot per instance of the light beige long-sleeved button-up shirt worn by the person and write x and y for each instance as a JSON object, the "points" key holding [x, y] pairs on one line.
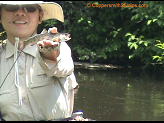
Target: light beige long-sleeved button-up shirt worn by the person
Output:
{"points": [[46, 86]]}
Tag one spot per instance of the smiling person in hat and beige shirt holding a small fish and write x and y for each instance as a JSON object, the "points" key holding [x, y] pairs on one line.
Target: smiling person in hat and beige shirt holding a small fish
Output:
{"points": [[37, 78]]}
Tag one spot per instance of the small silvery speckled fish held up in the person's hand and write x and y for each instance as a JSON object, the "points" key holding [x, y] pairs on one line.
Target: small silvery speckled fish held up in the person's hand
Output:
{"points": [[51, 35]]}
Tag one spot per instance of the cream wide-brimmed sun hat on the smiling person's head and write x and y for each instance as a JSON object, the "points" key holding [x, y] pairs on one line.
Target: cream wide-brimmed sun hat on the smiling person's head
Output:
{"points": [[51, 10]]}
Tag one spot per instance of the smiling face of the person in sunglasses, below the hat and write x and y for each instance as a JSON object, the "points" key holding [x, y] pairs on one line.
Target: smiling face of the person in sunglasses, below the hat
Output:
{"points": [[20, 23]]}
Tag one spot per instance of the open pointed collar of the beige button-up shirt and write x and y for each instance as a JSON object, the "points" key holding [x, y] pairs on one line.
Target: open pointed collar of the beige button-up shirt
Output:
{"points": [[28, 49]]}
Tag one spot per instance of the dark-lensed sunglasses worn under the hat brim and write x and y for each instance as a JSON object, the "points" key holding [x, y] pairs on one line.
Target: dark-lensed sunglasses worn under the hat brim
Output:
{"points": [[26, 8]]}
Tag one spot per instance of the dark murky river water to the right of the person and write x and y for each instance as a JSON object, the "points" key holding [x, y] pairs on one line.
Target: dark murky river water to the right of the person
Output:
{"points": [[119, 95]]}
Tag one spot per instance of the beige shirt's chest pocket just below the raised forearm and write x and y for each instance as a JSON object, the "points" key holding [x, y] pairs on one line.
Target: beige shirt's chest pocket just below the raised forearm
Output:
{"points": [[40, 79]]}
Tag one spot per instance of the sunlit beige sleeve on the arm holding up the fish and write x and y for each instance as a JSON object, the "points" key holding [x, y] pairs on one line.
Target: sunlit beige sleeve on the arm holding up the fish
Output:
{"points": [[64, 65]]}
